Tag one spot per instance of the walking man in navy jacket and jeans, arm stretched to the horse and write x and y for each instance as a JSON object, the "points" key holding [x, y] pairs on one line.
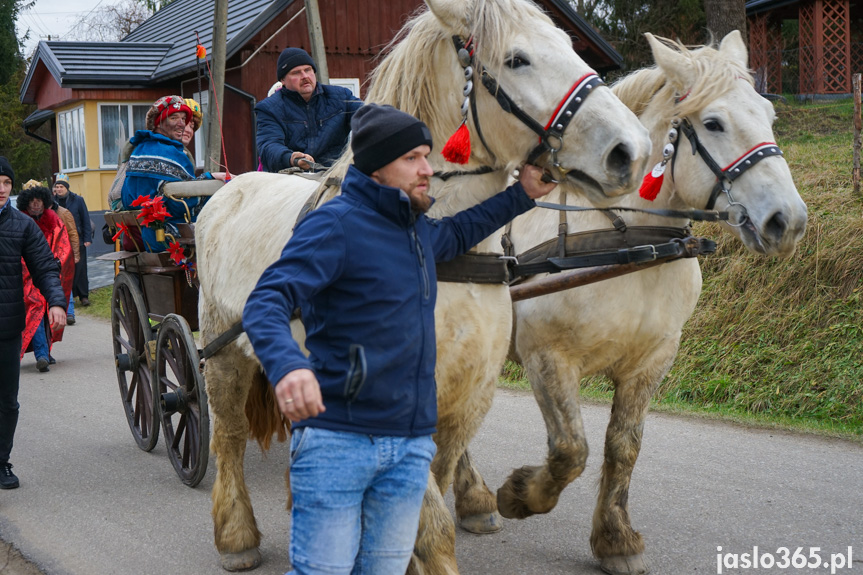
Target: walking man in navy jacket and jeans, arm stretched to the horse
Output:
{"points": [[361, 268]]}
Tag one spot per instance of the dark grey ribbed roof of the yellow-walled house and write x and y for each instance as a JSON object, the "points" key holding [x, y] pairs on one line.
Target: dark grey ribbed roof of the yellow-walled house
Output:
{"points": [[161, 48]]}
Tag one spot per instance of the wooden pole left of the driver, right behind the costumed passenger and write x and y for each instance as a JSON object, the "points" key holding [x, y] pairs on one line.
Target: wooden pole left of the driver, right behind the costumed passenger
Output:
{"points": [[217, 87]]}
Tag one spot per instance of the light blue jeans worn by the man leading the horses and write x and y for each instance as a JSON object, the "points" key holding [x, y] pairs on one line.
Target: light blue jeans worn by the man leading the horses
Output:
{"points": [[357, 501]]}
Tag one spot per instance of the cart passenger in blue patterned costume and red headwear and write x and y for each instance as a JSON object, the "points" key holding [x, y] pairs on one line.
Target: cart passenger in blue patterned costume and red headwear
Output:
{"points": [[158, 158]]}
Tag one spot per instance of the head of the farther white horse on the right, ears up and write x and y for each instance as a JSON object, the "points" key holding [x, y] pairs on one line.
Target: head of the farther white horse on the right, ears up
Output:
{"points": [[725, 154]]}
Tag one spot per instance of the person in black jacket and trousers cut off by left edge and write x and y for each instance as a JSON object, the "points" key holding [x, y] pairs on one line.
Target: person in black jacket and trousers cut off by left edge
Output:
{"points": [[20, 237]]}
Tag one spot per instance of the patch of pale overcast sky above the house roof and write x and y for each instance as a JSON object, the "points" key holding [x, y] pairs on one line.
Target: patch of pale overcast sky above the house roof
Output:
{"points": [[54, 18]]}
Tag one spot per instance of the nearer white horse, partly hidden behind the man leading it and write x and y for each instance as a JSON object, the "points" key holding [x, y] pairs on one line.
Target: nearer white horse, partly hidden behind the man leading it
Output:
{"points": [[520, 61]]}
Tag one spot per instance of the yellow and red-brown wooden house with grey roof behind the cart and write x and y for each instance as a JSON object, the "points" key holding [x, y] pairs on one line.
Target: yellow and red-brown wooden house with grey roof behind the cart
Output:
{"points": [[95, 95]]}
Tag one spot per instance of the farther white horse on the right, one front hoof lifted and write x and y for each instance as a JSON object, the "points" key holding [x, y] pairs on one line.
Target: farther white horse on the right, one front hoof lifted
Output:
{"points": [[629, 328]]}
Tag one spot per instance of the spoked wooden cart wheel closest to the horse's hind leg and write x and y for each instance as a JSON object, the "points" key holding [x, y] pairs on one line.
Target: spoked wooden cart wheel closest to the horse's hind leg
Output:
{"points": [[178, 381]]}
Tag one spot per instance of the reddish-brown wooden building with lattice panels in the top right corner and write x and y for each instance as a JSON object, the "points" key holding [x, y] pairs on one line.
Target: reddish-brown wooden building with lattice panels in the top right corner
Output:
{"points": [[829, 44]]}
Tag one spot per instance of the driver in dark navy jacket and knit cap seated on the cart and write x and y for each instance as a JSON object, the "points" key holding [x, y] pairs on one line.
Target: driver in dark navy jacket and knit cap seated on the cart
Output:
{"points": [[304, 122]]}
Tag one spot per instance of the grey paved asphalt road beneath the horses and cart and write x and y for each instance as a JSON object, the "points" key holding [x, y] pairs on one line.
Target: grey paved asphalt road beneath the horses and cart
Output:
{"points": [[92, 503]]}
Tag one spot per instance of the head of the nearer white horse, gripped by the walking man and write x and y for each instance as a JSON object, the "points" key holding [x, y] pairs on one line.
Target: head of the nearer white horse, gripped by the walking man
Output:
{"points": [[505, 68]]}
